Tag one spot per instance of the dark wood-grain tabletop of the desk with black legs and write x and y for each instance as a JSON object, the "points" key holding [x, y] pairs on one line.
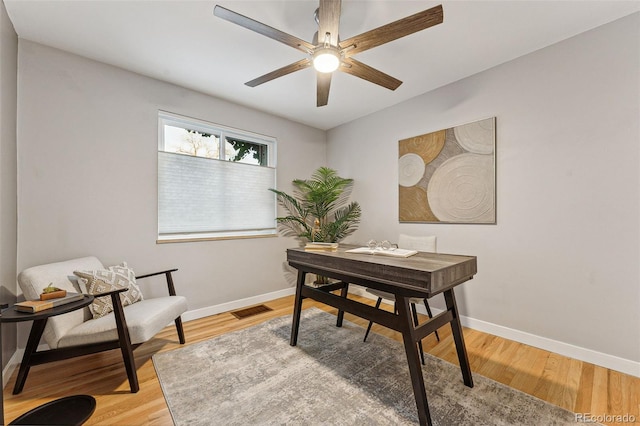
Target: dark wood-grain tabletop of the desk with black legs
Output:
{"points": [[431, 273]]}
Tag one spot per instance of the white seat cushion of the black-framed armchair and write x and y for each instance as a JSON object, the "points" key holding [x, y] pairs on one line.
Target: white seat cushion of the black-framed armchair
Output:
{"points": [[144, 320]]}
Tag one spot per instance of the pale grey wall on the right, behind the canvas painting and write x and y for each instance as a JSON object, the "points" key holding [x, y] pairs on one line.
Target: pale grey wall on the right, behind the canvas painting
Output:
{"points": [[560, 268]]}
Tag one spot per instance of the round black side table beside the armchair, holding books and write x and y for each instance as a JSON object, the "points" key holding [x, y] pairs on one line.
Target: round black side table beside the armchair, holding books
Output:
{"points": [[71, 410]]}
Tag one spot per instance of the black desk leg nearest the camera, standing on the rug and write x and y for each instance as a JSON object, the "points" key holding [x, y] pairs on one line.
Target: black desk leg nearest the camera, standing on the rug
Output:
{"points": [[415, 368]]}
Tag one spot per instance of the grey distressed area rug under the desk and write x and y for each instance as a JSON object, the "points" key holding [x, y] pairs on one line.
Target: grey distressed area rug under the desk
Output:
{"points": [[253, 377]]}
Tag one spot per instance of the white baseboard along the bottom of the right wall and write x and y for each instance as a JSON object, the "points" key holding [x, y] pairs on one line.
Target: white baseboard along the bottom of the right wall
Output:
{"points": [[612, 362]]}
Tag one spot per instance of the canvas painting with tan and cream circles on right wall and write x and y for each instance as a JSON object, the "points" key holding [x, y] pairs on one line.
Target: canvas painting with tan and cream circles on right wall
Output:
{"points": [[449, 176]]}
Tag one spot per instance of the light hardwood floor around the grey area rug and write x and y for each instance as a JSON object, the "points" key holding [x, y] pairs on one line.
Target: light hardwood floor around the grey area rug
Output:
{"points": [[574, 385]]}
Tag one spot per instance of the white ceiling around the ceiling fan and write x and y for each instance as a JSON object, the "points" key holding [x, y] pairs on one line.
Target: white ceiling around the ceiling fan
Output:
{"points": [[182, 42]]}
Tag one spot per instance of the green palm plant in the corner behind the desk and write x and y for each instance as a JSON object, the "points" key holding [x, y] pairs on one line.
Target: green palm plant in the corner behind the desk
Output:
{"points": [[319, 209]]}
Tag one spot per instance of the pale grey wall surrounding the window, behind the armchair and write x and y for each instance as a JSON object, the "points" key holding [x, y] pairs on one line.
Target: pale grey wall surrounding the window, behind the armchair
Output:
{"points": [[87, 175]]}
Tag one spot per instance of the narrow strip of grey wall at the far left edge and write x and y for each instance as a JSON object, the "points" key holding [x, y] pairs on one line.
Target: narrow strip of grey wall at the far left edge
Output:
{"points": [[8, 221]]}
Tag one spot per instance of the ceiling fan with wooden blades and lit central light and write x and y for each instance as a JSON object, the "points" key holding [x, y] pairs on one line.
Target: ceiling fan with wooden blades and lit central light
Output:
{"points": [[328, 53]]}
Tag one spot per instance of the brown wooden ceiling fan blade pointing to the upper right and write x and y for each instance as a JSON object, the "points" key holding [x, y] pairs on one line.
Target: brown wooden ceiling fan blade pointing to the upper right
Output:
{"points": [[392, 31]]}
